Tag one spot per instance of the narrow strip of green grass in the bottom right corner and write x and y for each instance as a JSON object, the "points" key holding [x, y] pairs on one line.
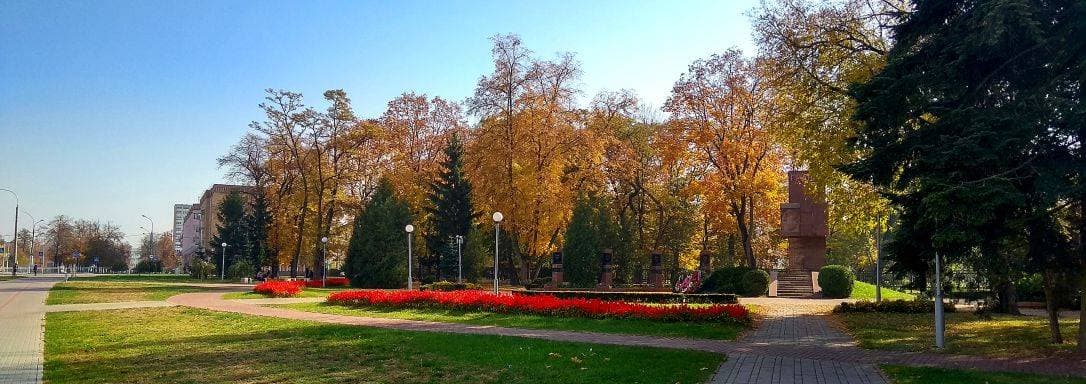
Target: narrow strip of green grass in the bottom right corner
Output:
{"points": [[924, 376]]}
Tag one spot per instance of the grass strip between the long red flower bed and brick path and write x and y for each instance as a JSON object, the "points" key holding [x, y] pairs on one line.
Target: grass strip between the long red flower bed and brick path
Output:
{"points": [[697, 330]]}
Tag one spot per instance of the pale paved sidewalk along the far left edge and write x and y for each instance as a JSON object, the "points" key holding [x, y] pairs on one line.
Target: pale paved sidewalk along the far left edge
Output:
{"points": [[22, 315]]}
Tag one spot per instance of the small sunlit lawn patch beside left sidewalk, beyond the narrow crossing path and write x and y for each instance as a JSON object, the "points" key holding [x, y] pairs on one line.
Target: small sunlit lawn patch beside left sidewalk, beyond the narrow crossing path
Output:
{"points": [[97, 291]]}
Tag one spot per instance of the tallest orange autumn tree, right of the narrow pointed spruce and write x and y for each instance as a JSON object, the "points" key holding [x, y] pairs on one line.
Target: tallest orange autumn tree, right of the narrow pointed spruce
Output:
{"points": [[522, 146]]}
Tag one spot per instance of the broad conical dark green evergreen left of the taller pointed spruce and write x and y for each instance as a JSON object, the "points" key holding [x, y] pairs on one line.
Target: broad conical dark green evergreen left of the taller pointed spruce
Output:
{"points": [[377, 255]]}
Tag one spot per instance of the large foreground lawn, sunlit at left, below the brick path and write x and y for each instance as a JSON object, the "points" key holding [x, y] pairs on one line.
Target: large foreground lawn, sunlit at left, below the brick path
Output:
{"points": [[183, 345]]}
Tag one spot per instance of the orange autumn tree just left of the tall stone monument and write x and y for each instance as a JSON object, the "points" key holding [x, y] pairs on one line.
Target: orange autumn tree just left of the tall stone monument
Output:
{"points": [[724, 112]]}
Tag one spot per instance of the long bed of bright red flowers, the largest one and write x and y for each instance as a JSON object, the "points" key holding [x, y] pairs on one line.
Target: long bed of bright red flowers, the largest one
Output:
{"points": [[539, 305]]}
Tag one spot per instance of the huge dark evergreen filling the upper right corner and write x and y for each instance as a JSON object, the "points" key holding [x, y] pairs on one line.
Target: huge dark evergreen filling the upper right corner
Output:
{"points": [[973, 124]]}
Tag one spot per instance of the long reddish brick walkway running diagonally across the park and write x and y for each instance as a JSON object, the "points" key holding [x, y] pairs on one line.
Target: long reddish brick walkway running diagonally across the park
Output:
{"points": [[827, 347]]}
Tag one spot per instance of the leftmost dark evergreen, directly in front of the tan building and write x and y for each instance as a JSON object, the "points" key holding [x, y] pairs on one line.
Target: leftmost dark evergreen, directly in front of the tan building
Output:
{"points": [[233, 231]]}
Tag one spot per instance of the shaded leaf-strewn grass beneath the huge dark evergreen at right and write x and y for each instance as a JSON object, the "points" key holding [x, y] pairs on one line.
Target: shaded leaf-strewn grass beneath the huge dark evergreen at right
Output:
{"points": [[1003, 336]]}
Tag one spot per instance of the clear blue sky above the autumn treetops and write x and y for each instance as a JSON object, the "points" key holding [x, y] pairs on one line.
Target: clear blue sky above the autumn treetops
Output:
{"points": [[111, 110]]}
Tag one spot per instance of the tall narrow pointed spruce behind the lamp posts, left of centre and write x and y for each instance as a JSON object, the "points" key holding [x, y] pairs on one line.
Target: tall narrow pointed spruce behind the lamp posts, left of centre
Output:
{"points": [[452, 212]]}
